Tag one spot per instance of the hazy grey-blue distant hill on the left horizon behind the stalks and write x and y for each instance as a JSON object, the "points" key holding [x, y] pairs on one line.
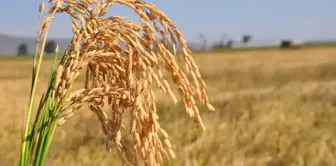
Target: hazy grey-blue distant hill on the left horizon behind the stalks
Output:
{"points": [[9, 44]]}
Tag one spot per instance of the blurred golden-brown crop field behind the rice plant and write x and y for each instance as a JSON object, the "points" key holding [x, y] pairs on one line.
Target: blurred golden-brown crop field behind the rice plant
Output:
{"points": [[274, 108]]}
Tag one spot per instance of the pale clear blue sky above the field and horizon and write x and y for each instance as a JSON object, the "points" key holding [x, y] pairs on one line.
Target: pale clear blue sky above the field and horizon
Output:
{"points": [[264, 19]]}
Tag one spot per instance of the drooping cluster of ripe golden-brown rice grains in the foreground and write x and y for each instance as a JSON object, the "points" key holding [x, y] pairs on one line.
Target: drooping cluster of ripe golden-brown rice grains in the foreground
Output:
{"points": [[123, 61]]}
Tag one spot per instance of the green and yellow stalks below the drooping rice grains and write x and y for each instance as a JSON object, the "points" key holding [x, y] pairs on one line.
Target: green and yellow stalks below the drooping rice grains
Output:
{"points": [[34, 134]]}
